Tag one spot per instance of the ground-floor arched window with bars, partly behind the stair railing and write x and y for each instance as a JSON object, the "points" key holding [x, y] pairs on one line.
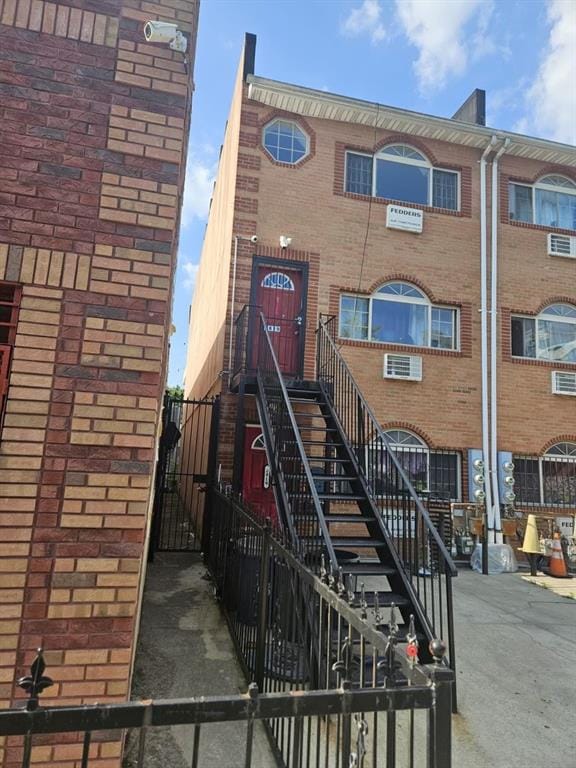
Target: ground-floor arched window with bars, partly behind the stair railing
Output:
{"points": [[434, 473]]}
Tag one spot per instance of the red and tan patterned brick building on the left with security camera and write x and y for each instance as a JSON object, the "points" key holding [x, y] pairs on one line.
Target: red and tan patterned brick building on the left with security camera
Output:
{"points": [[93, 134]]}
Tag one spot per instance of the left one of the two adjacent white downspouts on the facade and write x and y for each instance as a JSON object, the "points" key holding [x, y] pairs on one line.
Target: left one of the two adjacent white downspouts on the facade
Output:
{"points": [[484, 334]]}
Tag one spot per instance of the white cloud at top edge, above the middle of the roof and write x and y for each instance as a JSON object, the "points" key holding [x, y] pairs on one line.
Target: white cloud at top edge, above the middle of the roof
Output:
{"points": [[438, 29]]}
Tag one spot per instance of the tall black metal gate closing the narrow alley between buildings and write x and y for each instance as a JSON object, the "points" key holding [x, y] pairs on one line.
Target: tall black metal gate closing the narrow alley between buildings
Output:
{"points": [[186, 461]]}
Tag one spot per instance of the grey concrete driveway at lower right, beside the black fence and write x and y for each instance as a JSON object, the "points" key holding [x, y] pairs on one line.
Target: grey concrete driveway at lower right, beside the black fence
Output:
{"points": [[516, 652]]}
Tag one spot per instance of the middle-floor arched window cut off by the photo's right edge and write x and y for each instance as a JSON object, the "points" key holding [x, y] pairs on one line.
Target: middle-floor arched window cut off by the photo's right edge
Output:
{"points": [[549, 336]]}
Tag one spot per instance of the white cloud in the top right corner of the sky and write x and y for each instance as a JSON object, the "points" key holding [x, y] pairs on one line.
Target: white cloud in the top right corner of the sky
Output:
{"points": [[551, 101]]}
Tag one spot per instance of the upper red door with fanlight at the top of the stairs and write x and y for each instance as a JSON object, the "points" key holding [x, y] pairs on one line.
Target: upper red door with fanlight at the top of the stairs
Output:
{"points": [[279, 295]]}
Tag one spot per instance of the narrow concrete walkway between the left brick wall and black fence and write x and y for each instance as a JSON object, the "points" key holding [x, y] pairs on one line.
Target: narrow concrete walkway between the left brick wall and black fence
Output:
{"points": [[184, 649]]}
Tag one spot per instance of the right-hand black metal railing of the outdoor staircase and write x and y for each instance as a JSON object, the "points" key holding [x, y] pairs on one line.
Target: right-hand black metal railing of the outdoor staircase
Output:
{"points": [[418, 545]]}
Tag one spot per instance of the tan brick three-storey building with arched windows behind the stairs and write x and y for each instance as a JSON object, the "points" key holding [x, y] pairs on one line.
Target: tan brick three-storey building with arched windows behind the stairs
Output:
{"points": [[443, 248]]}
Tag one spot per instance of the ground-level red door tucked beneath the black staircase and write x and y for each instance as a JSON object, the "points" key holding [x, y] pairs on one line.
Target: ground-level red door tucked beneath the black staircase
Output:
{"points": [[257, 479]]}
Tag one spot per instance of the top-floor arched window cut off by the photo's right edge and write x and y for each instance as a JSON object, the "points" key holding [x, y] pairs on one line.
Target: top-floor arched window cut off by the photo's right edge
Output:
{"points": [[551, 202]]}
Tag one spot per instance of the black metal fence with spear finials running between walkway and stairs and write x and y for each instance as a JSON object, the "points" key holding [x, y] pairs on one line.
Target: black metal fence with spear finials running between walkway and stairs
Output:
{"points": [[296, 633]]}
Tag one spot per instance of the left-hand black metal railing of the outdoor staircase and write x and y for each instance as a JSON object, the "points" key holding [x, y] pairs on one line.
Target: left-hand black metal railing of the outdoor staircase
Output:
{"points": [[301, 508]]}
